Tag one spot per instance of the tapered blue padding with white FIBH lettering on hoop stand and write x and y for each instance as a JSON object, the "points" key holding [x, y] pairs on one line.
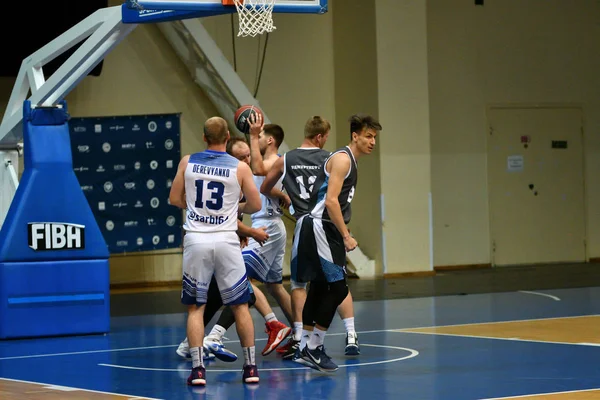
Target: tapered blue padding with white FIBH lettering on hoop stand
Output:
{"points": [[49, 192]]}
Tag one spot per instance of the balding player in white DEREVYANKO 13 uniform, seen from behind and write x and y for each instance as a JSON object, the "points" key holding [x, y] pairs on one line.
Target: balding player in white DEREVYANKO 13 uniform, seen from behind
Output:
{"points": [[209, 184]]}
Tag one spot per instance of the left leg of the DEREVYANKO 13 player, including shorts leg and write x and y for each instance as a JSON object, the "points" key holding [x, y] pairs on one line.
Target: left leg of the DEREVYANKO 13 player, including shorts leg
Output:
{"points": [[198, 257]]}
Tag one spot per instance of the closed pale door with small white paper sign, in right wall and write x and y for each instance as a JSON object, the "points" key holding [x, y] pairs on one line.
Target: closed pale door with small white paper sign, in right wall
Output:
{"points": [[536, 185]]}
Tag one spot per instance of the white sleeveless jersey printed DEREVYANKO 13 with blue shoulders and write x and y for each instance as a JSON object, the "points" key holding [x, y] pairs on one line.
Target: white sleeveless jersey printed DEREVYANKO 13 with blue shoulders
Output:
{"points": [[212, 192]]}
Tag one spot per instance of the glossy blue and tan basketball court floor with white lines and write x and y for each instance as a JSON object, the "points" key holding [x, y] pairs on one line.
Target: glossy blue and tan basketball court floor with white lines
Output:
{"points": [[533, 345]]}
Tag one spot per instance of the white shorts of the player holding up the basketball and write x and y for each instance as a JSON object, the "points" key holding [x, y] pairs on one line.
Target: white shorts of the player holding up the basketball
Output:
{"points": [[265, 263]]}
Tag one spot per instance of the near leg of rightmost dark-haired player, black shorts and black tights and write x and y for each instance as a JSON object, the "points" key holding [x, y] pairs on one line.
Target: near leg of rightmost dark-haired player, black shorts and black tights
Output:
{"points": [[333, 263]]}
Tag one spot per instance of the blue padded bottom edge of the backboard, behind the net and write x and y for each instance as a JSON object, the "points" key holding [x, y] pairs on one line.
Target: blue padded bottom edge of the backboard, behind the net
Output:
{"points": [[226, 6]]}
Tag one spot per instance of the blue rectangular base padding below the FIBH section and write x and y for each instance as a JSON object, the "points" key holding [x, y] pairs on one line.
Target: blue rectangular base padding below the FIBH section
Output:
{"points": [[54, 298]]}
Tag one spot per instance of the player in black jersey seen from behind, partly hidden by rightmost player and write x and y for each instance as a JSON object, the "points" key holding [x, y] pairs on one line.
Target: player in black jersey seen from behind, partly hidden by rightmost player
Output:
{"points": [[298, 170]]}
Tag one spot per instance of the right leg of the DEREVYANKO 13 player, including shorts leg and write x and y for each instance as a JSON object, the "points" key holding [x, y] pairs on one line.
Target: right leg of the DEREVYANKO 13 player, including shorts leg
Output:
{"points": [[230, 273]]}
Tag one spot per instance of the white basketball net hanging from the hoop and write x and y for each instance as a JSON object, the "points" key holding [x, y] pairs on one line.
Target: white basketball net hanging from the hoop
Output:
{"points": [[255, 16]]}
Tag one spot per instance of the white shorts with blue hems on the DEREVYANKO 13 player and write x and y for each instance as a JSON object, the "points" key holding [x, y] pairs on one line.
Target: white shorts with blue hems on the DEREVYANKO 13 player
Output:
{"points": [[218, 254]]}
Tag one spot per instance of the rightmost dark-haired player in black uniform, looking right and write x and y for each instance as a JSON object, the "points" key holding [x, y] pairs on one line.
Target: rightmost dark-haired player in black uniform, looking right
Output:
{"points": [[324, 238]]}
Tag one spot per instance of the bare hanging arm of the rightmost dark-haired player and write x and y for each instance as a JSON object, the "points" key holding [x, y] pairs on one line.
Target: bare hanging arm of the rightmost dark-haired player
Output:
{"points": [[340, 165]]}
